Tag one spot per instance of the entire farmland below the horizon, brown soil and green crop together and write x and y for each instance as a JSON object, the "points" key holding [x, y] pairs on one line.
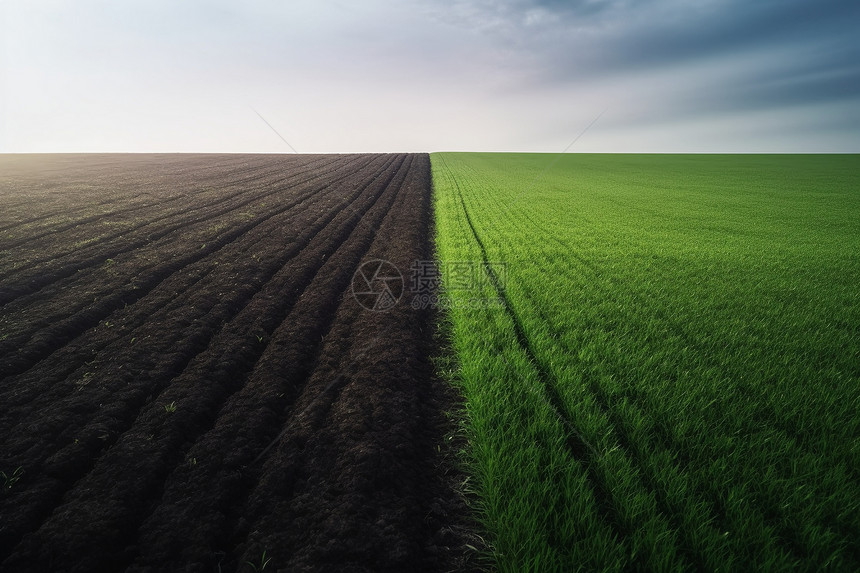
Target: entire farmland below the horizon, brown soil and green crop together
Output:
{"points": [[658, 359]]}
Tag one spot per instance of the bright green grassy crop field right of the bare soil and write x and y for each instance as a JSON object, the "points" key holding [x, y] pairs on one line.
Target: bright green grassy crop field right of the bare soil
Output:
{"points": [[670, 379]]}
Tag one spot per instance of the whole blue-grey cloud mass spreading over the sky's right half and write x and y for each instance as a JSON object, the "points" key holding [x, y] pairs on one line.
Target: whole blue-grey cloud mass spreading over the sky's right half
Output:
{"points": [[670, 61]]}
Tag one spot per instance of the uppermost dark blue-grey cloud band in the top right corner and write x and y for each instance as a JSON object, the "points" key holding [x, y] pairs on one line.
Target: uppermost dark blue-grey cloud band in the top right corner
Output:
{"points": [[618, 34]]}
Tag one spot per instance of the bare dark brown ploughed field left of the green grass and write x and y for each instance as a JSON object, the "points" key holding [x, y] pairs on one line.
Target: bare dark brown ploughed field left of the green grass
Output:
{"points": [[186, 382]]}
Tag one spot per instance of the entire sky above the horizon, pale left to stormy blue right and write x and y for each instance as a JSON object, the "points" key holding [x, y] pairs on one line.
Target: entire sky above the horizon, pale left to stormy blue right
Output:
{"points": [[429, 75]]}
